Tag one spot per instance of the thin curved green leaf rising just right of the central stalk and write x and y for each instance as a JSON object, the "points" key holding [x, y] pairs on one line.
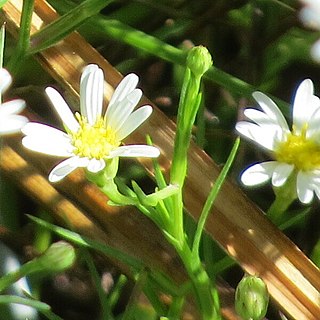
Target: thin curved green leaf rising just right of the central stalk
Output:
{"points": [[212, 196]]}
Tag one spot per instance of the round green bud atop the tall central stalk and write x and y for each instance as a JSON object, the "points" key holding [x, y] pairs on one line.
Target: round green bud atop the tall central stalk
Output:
{"points": [[199, 60]]}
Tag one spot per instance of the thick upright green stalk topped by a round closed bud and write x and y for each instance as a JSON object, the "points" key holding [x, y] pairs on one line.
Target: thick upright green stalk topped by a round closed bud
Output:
{"points": [[198, 62]]}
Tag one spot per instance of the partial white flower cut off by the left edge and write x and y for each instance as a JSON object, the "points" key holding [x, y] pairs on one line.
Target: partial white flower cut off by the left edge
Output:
{"points": [[10, 122]]}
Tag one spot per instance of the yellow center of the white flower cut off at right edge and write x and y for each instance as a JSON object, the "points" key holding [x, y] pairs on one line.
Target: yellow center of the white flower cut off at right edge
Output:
{"points": [[302, 152]]}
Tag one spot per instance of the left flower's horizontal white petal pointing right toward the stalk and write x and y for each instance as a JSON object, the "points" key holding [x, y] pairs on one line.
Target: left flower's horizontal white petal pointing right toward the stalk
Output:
{"points": [[135, 151]]}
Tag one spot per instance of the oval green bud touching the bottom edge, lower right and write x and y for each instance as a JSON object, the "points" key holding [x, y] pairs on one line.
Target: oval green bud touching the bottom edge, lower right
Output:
{"points": [[252, 298]]}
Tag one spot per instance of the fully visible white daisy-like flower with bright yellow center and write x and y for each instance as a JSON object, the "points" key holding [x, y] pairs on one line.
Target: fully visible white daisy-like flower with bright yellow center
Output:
{"points": [[90, 138]]}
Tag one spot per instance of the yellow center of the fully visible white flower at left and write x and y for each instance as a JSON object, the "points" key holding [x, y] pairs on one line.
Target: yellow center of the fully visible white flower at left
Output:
{"points": [[93, 141]]}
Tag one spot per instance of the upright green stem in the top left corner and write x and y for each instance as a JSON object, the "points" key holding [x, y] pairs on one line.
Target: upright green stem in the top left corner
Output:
{"points": [[24, 37]]}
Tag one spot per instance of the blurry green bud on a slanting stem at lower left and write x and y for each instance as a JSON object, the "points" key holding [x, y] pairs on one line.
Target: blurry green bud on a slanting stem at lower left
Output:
{"points": [[57, 258]]}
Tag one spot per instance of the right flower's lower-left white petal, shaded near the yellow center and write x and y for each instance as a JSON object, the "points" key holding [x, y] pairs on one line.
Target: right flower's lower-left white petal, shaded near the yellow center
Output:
{"points": [[258, 173]]}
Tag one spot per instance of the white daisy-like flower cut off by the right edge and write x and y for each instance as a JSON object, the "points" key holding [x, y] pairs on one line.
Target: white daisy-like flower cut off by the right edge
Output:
{"points": [[295, 151]]}
